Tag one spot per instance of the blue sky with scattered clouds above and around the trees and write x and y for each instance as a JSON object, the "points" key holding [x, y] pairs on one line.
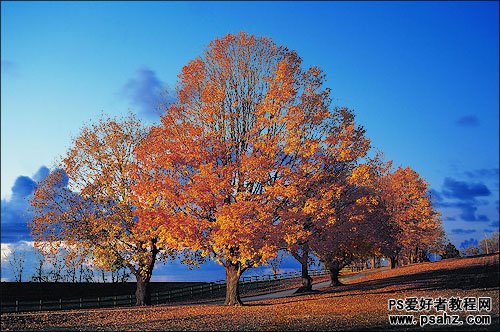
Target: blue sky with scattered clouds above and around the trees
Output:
{"points": [[423, 79]]}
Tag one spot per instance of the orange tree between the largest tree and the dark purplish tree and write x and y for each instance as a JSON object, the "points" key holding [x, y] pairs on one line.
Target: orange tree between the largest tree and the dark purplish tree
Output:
{"points": [[321, 186]]}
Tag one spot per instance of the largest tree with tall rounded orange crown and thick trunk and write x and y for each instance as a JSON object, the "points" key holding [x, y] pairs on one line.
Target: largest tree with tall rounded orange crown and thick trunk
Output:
{"points": [[220, 163]]}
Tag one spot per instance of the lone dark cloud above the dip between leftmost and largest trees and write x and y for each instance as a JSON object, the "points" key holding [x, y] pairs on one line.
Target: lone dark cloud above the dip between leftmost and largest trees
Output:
{"points": [[147, 93]]}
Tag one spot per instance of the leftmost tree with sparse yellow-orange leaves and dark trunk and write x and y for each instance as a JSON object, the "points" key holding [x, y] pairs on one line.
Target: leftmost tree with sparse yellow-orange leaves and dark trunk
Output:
{"points": [[87, 206]]}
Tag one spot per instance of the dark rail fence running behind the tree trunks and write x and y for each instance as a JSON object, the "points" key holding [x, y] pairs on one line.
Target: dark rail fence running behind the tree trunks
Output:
{"points": [[266, 281]]}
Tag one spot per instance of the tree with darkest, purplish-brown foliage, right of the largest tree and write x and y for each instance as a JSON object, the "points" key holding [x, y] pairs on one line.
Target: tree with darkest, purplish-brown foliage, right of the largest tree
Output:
{"points": [[356, 227]]}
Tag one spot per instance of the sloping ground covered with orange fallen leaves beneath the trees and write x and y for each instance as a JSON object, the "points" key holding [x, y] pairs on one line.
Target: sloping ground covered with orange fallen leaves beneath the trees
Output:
{"points": [[361, 304]]}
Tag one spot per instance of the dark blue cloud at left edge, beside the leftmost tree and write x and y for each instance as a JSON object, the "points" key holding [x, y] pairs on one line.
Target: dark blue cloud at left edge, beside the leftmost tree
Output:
{"points": [[16, 212]]}
